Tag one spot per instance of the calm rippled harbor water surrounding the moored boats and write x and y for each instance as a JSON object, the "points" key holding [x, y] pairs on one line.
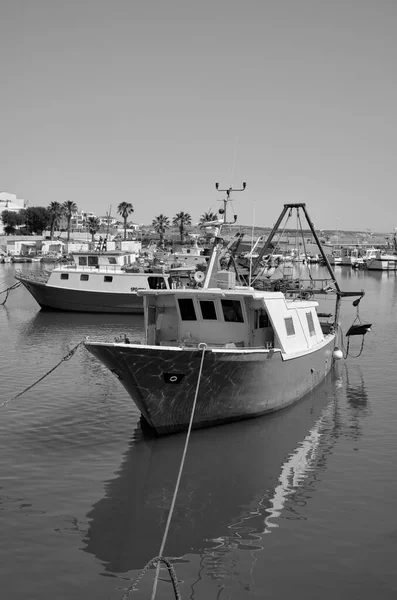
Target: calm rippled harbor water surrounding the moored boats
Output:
{"points": [[298, 504]]}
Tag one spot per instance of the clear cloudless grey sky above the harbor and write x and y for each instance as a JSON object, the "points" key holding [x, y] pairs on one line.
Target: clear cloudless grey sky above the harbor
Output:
{"points": [[153, 101]]}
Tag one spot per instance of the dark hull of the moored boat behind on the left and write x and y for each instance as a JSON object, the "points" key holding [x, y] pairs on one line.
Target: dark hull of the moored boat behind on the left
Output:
{"points": [[52, 298]]}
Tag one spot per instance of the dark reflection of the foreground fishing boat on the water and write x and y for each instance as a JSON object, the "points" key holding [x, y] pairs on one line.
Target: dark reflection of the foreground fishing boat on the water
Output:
{"points": [[237, 482]]}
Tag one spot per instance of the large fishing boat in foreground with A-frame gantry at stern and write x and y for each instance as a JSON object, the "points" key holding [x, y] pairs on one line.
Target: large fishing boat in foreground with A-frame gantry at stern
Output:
{"points": [[239, 351]]}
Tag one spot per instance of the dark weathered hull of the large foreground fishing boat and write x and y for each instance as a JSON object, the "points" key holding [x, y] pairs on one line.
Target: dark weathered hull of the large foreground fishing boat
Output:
{"points": [[234, 385]]}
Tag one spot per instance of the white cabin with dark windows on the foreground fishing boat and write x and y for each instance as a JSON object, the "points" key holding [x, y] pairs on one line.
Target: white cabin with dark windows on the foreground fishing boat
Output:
{"points": [[239, 318]]}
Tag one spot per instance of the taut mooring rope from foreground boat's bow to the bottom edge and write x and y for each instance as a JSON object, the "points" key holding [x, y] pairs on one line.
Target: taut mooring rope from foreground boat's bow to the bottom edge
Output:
{"points": [[158, 559]]}
